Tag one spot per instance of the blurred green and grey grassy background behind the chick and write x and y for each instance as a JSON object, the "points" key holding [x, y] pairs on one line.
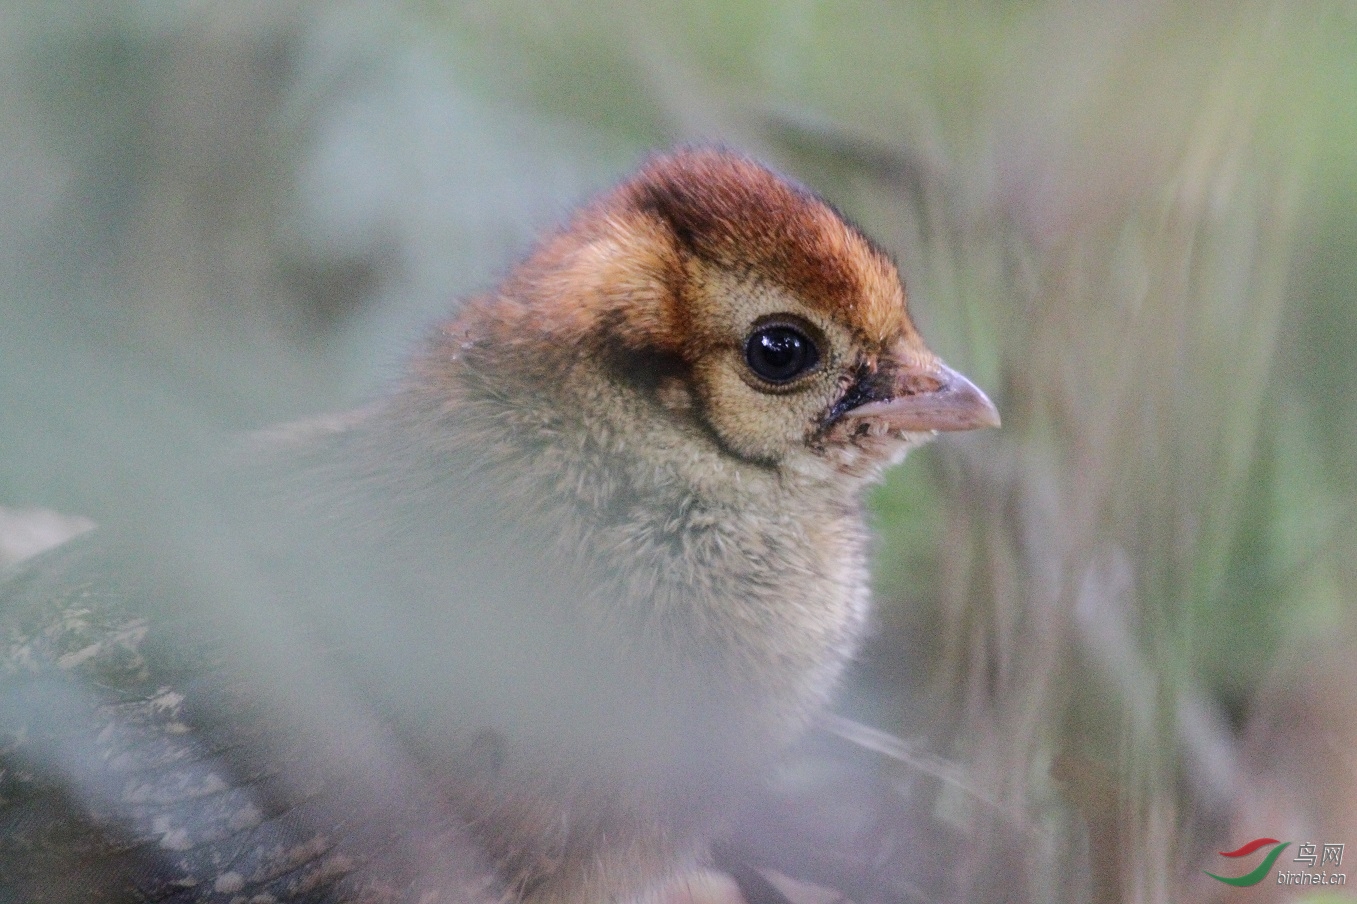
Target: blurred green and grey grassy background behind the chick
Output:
{"points": [[1135, 223]]}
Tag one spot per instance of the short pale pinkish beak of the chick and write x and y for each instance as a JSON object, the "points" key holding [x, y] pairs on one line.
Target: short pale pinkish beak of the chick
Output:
{"points": [[926, 397]]}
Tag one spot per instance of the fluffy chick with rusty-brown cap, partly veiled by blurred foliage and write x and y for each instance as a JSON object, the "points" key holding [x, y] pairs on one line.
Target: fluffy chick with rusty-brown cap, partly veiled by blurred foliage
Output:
{"points": [[576, 582]]}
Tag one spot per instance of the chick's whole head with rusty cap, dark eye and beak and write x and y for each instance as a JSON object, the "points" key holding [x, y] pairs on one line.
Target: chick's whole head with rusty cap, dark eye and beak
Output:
{"points": [[746, 302]]}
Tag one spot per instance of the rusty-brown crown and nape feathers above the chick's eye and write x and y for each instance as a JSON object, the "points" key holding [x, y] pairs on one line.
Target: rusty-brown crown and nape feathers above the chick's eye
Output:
{"points": [[625, 255]]}
